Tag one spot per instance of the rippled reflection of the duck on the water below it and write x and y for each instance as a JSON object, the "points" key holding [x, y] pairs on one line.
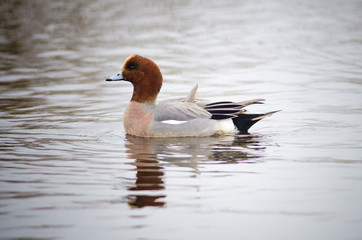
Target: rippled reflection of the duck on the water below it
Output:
{"points": [[149, 155]]}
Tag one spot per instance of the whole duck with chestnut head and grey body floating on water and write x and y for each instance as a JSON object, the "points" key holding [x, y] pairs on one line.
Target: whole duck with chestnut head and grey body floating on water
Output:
{"points": [[179, 117]]}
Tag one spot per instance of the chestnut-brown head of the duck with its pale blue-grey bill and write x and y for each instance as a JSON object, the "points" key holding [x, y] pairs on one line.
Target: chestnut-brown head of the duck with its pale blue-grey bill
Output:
{"points": [[144, 75]]}
